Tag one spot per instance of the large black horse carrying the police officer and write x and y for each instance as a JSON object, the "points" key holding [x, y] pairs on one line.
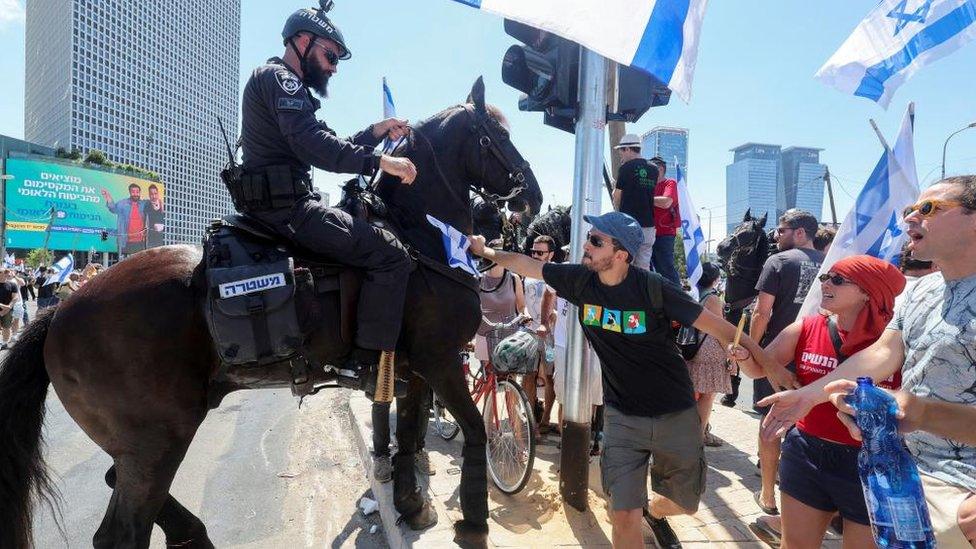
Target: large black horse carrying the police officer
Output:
{"points": [[141, 394]]}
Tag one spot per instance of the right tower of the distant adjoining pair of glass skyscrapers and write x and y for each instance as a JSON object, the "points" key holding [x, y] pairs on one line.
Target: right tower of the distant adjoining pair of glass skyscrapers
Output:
{"points": [[802, 181]]}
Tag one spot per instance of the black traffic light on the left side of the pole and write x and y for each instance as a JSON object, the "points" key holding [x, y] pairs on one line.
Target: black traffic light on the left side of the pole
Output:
{"points": [[546, 70]]}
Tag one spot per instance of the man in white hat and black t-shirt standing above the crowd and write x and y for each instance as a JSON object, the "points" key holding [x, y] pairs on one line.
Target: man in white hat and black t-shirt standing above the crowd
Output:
{"points": [[634, 194]]}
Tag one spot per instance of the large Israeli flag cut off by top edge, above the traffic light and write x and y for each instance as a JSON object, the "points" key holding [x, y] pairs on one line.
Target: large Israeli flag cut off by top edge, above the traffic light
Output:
{"points": [[659, 37]]}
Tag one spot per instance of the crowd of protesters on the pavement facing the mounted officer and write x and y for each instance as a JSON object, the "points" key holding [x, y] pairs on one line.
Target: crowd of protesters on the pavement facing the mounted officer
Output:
{"points": [[912, 329]]}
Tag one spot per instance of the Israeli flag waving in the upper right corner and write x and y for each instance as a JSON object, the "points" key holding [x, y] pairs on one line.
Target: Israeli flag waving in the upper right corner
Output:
{"points": [[896, 39]]}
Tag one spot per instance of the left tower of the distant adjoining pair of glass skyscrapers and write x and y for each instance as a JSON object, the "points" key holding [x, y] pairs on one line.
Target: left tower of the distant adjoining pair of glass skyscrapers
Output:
{"points": [[751, 183]]}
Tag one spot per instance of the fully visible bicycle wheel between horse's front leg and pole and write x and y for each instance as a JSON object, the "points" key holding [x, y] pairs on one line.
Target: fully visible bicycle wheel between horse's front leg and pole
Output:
{"points": [[511, 436]]}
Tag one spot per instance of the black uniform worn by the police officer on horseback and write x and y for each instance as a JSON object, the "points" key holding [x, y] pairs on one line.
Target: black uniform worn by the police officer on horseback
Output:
{"points": [[281, 140]]}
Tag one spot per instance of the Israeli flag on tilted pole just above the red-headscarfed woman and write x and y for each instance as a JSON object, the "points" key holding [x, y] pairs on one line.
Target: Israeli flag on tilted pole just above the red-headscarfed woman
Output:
{"points": [[875, 226]]}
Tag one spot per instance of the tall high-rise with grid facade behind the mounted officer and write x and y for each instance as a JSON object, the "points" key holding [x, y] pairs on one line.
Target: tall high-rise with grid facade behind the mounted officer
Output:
{"points": [[144, 82]]}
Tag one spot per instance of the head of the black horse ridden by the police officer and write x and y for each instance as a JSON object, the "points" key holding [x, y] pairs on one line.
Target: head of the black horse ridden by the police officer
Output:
{"points": [[491, 158]]}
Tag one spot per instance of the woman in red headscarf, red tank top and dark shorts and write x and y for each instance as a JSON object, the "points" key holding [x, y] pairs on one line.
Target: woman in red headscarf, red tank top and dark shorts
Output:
{"points": [[818, 467]]}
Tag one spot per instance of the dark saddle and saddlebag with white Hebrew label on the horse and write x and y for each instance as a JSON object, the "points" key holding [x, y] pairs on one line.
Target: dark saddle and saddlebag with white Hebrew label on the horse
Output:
{"points": [[265, 299]]}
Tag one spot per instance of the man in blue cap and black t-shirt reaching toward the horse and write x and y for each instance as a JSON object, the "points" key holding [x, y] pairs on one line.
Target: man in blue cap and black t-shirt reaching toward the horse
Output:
{"points": [[626, 314]]}
